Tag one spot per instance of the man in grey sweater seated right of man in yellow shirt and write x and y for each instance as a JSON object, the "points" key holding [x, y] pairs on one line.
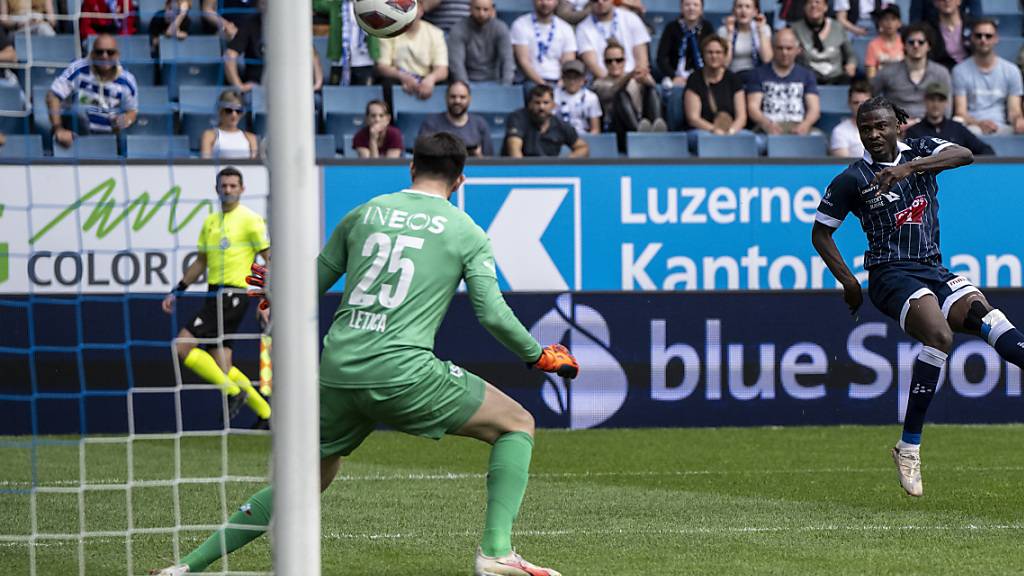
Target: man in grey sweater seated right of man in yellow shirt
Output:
{"points": [[481, 49]]}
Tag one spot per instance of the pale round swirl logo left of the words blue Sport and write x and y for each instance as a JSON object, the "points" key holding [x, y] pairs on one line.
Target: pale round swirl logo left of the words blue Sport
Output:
{"points": [[601, 390]]}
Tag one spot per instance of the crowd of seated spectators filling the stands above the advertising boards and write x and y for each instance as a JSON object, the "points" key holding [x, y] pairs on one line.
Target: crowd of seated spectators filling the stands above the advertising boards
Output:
{"points": [[583, 68]]}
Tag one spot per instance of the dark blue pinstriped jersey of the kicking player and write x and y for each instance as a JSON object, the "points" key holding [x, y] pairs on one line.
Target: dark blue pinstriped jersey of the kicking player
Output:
{"points": [[902, 225]]}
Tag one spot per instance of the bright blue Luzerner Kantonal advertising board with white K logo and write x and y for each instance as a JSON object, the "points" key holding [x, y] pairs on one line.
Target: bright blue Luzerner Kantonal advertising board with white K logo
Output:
{"points": [[691, 227]]}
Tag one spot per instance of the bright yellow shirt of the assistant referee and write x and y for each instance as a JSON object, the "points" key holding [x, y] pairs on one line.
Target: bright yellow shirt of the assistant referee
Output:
{"points": [[231, 242]]}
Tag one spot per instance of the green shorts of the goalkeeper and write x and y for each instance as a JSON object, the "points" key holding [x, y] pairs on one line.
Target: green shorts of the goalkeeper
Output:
{"points": [[440, 404]]}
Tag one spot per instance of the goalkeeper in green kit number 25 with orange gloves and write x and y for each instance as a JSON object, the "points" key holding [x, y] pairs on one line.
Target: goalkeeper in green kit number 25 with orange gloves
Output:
{"points": [[404, 256]]}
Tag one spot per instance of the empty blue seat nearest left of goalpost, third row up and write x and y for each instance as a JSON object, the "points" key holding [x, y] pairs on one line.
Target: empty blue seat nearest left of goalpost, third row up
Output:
{"points": [[194, 62]]}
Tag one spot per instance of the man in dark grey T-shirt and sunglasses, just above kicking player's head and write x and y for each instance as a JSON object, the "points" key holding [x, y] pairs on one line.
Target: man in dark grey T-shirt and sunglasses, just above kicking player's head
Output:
{"points": [[904, 84]]}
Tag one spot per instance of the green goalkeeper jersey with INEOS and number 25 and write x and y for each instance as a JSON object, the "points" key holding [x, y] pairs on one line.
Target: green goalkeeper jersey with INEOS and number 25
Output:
{"points": [[404, 256]]}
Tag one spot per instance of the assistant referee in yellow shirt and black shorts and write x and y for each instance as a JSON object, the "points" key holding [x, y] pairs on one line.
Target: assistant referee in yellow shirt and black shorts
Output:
{"points": [[229, 244]]}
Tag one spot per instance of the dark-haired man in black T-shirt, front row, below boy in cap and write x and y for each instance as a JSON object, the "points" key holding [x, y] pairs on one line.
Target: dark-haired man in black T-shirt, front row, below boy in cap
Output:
{"points": [[536, 132]]}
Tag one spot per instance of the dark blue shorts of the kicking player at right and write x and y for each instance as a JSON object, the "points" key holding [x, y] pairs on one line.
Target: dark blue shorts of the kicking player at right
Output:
{"points": [[892, 286]]}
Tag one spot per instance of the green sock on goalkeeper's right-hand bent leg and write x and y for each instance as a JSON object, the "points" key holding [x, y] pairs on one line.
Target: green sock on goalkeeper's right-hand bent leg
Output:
{"points": [[507, 477]]}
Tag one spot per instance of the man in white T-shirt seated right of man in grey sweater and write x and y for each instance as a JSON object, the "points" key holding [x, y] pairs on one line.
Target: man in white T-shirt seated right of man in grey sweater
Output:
{"points": [[541, 43]]}
